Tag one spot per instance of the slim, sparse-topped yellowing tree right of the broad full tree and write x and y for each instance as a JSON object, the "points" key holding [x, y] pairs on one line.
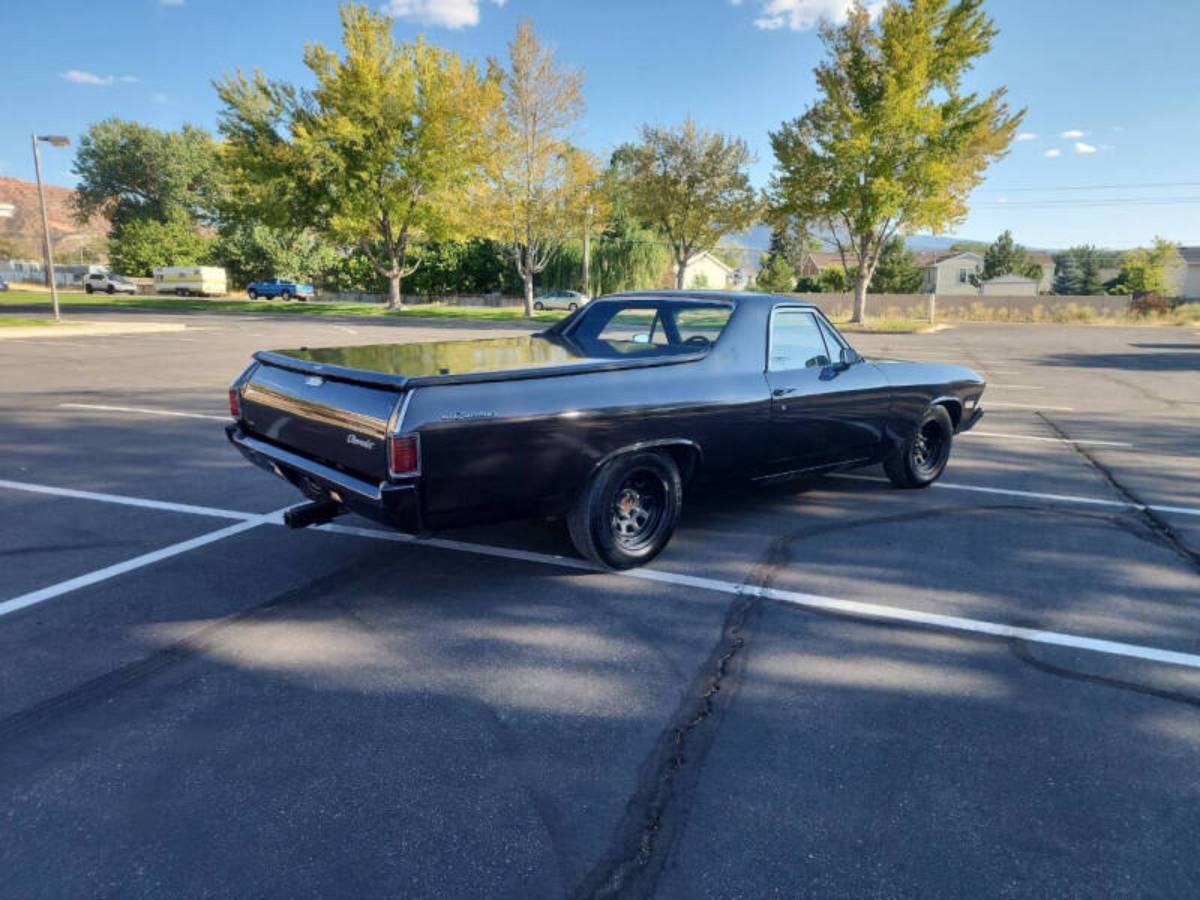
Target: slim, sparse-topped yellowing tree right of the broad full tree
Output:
{"points": [[539, 184]]}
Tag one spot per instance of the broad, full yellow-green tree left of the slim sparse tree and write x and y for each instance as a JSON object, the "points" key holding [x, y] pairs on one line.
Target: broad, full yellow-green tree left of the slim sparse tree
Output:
{"points": [[379, 154]]}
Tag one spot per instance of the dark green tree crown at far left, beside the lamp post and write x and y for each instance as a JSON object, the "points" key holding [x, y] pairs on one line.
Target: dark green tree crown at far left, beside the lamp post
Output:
{"points": [[133, 172]]}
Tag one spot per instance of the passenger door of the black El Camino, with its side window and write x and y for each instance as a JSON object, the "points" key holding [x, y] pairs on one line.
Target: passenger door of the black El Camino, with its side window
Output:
{"points": [[824, 411]]}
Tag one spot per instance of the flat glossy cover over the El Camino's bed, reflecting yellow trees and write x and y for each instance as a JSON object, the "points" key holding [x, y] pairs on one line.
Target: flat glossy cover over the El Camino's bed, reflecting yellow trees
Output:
{"points": [[413, 365]]}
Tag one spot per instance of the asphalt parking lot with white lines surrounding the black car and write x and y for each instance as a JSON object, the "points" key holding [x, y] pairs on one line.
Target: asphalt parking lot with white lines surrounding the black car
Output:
{"points": [[833, 688]]}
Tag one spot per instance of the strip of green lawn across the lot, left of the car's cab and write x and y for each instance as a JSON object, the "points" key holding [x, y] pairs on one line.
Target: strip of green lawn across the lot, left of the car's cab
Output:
{"points": [[173, 304]]}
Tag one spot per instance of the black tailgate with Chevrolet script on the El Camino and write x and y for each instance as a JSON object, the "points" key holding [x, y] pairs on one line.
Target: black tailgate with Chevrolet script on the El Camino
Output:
{"points": [[337, 423]]}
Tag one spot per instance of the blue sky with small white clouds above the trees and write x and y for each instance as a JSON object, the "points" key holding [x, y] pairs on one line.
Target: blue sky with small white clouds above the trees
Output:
{"points": [[1113, 89]]}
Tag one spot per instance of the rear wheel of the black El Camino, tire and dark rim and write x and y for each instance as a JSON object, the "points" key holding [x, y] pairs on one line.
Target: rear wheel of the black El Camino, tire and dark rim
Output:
{"points": [[628, 512]]}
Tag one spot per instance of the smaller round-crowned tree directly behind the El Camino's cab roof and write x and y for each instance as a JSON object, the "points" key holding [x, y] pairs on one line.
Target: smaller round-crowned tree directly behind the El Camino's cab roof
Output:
{"points": [[691, 184]]}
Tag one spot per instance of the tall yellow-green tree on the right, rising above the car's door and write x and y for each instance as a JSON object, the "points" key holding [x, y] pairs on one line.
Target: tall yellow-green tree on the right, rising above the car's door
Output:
{"points": [[895, 145]]}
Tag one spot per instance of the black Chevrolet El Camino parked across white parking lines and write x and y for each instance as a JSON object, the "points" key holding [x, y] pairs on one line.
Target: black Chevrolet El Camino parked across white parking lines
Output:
{"points": [[604, 419]]}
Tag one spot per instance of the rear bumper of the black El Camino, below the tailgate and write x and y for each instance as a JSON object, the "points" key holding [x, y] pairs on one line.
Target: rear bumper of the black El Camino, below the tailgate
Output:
{"points": [[395, 505]]}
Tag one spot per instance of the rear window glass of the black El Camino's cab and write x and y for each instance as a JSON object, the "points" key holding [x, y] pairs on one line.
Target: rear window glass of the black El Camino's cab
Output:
{"points": [[647, 327]]}
